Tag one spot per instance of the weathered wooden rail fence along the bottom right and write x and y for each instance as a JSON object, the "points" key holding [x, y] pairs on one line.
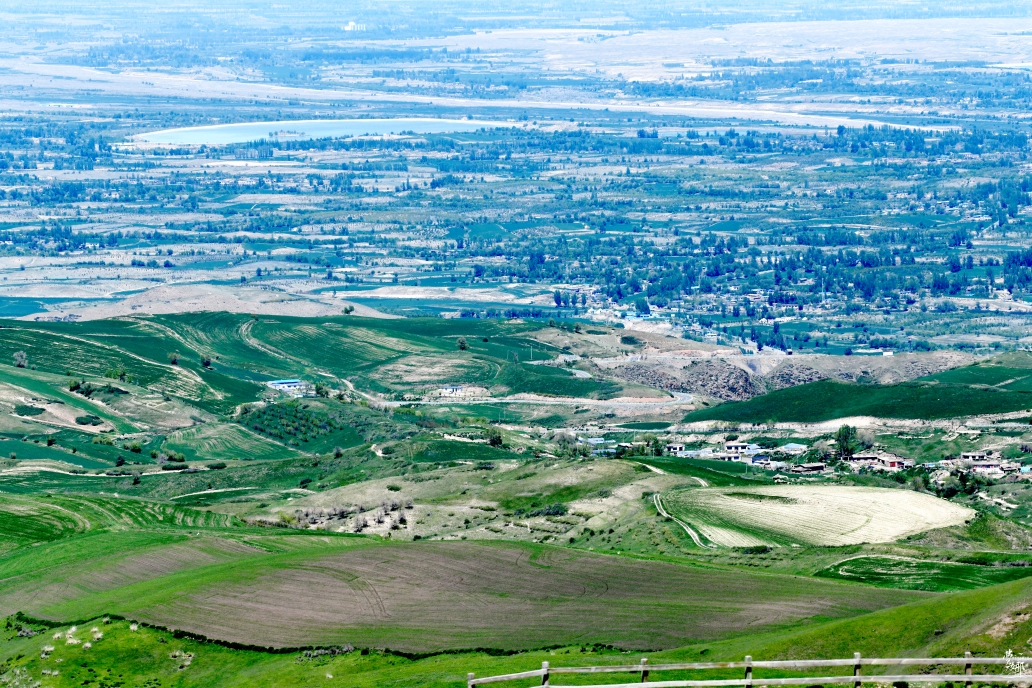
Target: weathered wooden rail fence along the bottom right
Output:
{"points": [[1018, 673]]}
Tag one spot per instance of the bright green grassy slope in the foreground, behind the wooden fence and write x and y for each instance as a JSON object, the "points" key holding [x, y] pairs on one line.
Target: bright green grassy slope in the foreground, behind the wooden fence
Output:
{"points": [[937, 627]]}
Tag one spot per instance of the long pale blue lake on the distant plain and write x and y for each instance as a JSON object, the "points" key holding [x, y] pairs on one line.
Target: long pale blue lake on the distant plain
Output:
{"points": [[222, 135]]}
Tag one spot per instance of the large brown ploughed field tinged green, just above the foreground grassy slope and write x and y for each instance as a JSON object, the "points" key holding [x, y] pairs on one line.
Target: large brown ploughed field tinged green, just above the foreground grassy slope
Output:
{"points": [[430, 597]]}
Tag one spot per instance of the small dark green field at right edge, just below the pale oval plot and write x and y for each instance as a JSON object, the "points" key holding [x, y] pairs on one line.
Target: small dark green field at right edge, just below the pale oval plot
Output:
{"points": [[917, 575]]}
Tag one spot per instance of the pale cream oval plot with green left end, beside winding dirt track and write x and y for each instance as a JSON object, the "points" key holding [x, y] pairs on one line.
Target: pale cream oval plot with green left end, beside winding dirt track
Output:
{"points": [[826, 515]]}
